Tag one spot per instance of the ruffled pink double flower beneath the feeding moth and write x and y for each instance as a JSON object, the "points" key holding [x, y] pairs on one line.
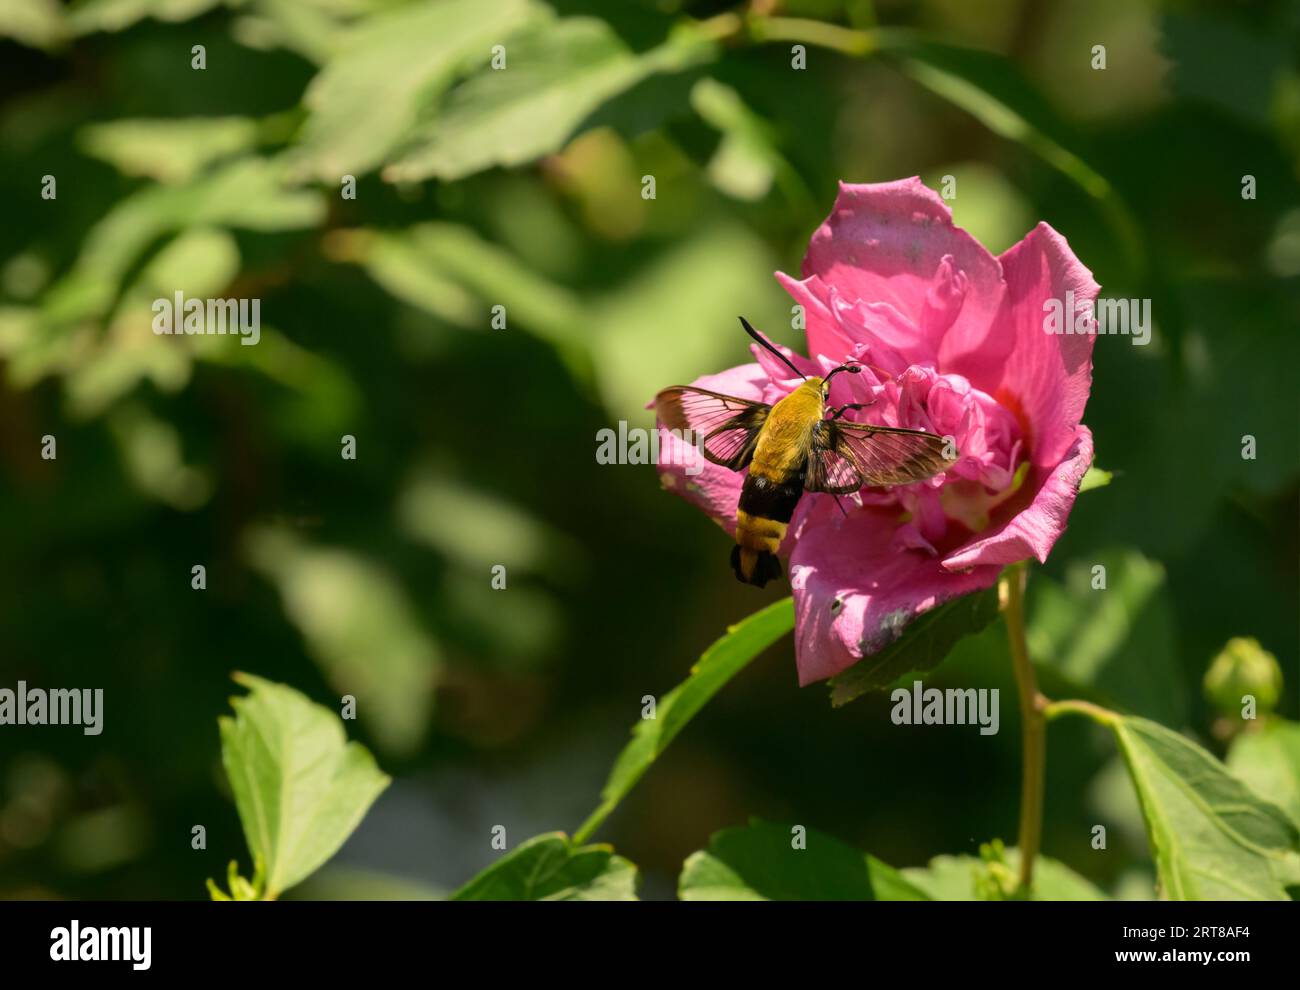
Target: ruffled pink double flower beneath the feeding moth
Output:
{"points": [[952, 341]]}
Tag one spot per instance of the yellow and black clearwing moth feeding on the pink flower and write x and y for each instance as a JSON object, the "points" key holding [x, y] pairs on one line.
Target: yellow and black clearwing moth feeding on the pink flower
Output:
{"points": [[795, 446]]}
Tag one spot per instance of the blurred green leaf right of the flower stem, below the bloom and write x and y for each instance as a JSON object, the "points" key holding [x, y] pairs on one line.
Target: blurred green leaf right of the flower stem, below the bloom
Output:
{"points": [[1116, 644]]}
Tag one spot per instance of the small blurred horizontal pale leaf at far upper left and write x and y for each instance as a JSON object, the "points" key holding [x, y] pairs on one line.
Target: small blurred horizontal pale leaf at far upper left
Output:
{"points": [[168, 151]]}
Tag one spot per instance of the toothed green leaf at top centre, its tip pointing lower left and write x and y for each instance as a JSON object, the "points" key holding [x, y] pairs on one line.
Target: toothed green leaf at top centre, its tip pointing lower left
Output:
{"points": [[554, 79]]}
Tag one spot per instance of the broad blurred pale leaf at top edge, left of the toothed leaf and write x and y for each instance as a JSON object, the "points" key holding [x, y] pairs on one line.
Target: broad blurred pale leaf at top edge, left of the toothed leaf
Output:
{"points": [[387, 70]]}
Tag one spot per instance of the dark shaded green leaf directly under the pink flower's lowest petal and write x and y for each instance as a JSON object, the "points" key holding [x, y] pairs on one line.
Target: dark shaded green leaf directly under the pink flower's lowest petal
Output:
{"points": [[924, 645]]}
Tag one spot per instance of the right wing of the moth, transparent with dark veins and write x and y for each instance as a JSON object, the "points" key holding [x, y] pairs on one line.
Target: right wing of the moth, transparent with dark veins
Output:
{"points": [[878, 457]]}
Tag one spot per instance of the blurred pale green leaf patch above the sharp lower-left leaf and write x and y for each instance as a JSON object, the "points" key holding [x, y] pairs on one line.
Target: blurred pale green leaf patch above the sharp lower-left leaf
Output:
{"points": [[361, 628]]}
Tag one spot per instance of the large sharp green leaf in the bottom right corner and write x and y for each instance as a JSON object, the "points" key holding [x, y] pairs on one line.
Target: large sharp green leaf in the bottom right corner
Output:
{"points": [[1211, 836]]}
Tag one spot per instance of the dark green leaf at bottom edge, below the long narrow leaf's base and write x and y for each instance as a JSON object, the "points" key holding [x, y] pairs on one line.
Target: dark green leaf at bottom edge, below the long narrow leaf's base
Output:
{"points": [[553, 867]]}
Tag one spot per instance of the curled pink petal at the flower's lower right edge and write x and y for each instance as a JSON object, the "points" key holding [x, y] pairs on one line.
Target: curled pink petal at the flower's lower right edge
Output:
{"points": [[1034, 531]]}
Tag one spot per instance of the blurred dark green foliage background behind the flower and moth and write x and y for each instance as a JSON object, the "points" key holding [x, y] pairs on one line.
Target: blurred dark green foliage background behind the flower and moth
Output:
{"points": [[476, 446]]}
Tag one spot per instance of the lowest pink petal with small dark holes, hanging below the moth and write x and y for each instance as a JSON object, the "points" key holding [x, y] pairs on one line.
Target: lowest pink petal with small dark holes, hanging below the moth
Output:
{"points": [[856, 590]]}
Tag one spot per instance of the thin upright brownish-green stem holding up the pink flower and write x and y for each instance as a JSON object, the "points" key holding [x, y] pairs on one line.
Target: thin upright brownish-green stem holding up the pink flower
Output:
{"points": [[1034, 737]]}
